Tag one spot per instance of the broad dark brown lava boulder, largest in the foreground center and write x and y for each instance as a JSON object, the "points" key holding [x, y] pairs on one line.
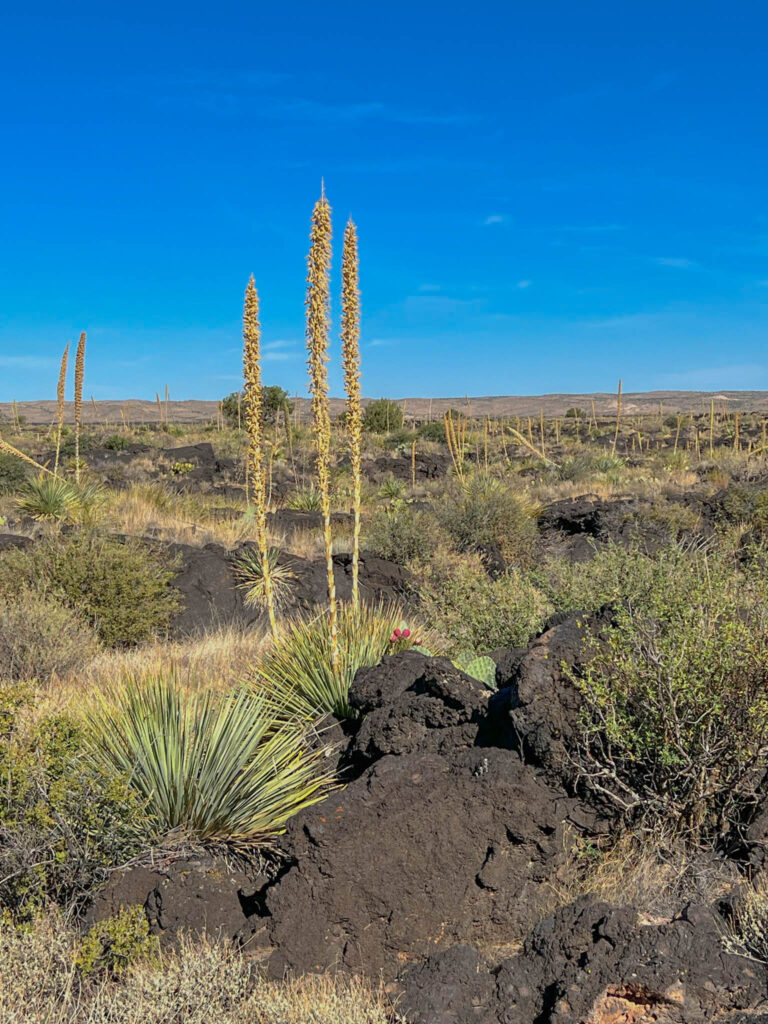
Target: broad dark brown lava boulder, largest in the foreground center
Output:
{"points": [[420, 852]]}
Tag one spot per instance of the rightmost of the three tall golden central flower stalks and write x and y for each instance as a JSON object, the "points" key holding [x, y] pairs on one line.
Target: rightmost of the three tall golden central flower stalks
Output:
{"points": [[351, 355]]}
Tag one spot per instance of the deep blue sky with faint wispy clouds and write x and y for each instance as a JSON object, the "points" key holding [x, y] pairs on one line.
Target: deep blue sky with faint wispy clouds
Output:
{"points": [[548, 195]]}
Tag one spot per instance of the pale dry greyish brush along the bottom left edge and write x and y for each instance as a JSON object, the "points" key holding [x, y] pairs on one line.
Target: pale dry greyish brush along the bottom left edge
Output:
{"points": [[197, 984]]}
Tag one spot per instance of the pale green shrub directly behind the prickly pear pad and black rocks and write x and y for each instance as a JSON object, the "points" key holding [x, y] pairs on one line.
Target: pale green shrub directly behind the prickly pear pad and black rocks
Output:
{"points": [[471, 612]]}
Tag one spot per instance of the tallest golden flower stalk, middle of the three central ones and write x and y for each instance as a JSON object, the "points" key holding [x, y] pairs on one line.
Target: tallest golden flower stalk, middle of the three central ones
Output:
{"points": [[318, 306]]}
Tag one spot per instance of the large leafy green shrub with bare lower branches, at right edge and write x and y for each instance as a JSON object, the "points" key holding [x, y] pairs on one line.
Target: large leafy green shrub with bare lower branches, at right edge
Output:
{"points": [[675, 722]]}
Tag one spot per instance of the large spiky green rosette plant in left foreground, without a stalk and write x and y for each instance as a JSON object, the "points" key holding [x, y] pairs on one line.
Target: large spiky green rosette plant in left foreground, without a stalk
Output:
{"points": [[211, 767]]}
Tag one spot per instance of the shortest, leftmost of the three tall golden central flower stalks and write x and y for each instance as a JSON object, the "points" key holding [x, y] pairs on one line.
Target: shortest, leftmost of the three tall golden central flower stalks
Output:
{"points": [[255, 429]]}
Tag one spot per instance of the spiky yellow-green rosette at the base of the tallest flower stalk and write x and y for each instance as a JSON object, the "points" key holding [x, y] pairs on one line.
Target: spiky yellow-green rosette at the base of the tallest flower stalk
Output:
{"points": [[301, 672]]}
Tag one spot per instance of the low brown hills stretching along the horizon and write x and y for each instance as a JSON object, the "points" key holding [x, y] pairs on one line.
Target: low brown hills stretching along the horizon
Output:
{"points": [[634, 403]]}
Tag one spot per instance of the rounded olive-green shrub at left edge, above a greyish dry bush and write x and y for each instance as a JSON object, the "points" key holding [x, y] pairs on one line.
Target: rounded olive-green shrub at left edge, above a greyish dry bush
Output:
{"points": [[122, 589]]}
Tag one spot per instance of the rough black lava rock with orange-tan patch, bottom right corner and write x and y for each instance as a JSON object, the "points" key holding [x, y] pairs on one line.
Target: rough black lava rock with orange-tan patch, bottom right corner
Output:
{"points": [[592, 962]]}
